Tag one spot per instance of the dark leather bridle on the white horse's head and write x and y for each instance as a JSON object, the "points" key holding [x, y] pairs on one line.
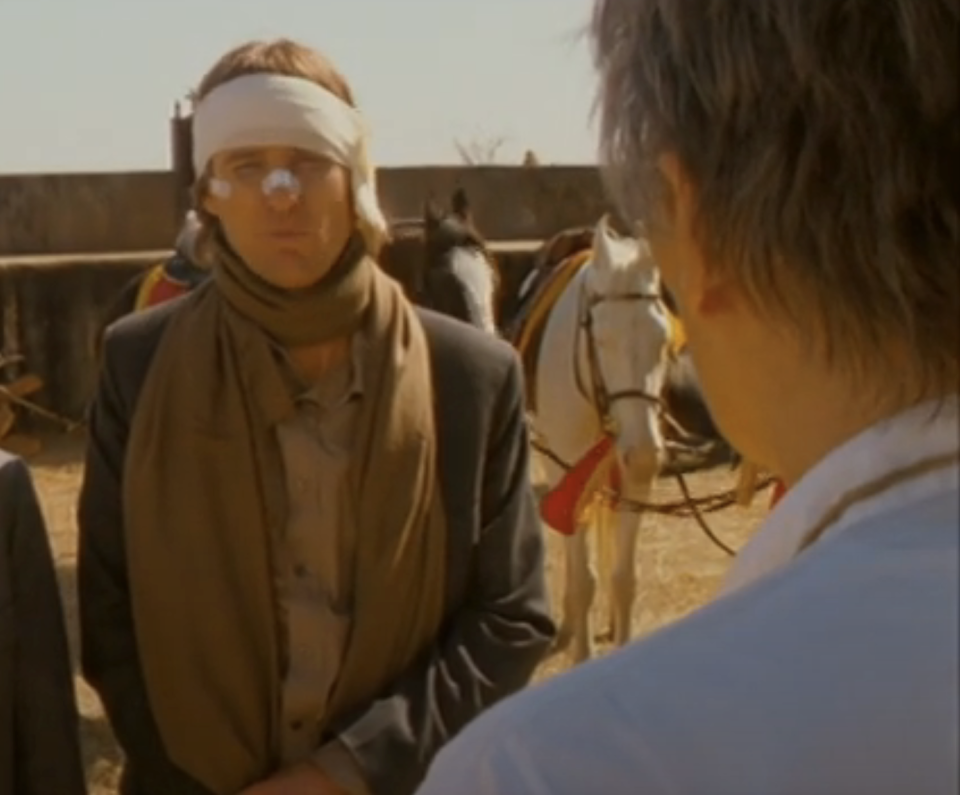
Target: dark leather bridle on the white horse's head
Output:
{"points": [[599, 395]]}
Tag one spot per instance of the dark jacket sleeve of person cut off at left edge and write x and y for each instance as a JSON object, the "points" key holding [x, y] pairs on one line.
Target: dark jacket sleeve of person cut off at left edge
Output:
{"points": [[39, 743]]}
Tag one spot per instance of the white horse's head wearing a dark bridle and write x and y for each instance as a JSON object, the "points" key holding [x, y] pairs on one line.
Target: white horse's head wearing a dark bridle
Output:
{"points": [[627, 338]]}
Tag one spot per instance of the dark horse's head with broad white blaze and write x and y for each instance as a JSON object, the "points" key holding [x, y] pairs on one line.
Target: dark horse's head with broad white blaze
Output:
{"points": [[454, 248]]}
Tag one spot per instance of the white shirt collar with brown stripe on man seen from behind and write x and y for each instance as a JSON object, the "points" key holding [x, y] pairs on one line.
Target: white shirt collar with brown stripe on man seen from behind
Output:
{"points": [[899, 441]]}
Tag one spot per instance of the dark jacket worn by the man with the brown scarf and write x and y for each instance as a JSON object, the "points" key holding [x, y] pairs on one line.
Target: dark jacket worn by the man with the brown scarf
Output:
{"points": [[497, 627]]}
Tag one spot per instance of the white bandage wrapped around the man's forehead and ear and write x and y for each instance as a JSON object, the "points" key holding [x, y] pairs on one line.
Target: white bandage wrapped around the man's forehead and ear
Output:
{"points": [[276, 110]]}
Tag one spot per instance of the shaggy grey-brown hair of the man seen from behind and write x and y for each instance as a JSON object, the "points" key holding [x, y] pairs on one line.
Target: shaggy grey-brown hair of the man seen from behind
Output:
{"points": [[822, 138]]}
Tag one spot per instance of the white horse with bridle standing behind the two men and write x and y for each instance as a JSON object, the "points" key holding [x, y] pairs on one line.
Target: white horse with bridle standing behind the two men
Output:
{"points": [[601, 367]]}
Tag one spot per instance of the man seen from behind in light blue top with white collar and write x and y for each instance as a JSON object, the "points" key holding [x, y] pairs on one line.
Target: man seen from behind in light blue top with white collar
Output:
{"points": [[794, 164]]}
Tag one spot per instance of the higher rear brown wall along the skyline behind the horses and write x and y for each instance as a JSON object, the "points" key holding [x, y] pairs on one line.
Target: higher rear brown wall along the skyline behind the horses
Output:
{"points": [[54, 214]]}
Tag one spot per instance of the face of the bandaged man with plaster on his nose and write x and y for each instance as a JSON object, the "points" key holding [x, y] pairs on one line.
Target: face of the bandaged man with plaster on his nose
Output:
{"points": [[287, 231]]}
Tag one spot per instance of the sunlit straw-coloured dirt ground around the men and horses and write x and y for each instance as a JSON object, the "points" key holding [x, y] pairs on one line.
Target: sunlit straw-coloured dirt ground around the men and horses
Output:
{"points": [[678, 570]]}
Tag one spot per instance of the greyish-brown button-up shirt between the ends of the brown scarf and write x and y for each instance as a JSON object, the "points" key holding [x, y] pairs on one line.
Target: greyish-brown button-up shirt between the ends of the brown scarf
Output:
{"points": [[315, 557]]}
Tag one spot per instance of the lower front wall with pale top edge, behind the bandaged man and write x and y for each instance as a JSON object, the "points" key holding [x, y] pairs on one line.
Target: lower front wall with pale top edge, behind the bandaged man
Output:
{"points": [[51, 311]]}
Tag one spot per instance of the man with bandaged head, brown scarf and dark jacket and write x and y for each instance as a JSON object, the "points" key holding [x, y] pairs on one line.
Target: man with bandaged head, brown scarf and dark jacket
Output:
{"points": [[309, 551]]}
